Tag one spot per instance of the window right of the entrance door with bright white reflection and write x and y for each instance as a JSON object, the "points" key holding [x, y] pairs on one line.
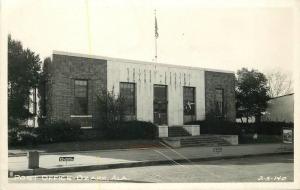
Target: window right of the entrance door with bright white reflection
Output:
{"points": [[189, 100]]}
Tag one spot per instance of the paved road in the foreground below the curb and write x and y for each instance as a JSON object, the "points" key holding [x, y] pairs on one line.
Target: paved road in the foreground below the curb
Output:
{"points": [[275, 168]]}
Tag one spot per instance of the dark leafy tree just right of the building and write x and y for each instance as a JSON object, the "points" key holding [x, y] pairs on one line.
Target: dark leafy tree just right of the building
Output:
{"points": [[251, 93]]}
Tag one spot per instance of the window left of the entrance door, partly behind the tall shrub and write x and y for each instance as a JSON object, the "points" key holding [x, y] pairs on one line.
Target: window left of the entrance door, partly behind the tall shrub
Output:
{"points": [[127, 91]]}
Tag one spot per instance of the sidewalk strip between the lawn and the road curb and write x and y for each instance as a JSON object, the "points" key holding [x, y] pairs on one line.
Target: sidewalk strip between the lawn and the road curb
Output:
{"points": [[108, 159]]}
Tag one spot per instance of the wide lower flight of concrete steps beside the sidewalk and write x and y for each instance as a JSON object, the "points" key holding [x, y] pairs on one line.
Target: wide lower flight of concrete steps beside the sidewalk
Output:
{"points": [[203, 141]]}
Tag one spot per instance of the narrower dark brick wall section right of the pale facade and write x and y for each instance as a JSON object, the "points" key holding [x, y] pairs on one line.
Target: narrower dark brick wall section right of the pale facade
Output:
{"points": [[223, 81]]}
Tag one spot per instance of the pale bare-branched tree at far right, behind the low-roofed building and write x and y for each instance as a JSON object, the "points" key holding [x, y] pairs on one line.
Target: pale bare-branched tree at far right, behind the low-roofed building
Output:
{"points": [[279, 84]]}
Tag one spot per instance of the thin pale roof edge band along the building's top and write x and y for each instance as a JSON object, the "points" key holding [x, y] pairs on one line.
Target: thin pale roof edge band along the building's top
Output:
{"points": [[136, 61]]}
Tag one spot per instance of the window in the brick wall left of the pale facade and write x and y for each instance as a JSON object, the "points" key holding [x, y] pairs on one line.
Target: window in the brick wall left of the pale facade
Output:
{"points": [[81, 97]]}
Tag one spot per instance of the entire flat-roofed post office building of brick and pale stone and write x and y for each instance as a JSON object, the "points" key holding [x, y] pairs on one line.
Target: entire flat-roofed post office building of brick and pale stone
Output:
{"points": [[161, 93]]}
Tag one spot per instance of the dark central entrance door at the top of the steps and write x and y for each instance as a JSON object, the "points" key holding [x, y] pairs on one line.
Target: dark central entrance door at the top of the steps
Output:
{"points": [[160, 105]]}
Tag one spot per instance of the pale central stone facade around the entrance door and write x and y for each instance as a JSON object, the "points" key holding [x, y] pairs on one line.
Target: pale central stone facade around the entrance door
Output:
{"points": [[147, 74]]}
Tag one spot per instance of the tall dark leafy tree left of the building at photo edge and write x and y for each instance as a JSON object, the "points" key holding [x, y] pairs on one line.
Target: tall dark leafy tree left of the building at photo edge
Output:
{"points": [[23, 75]]}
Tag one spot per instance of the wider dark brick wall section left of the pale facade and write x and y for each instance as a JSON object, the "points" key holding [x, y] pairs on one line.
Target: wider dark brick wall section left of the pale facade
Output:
{"points": [[64, 70]]}
